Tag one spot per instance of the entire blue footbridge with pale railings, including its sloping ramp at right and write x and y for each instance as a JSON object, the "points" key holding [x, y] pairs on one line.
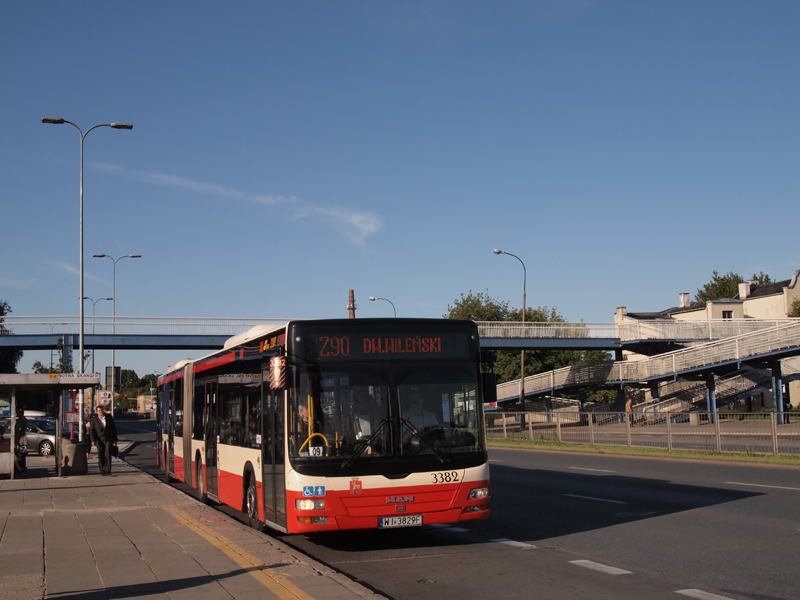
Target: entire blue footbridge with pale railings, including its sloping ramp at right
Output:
{"points": [[677, 350]]}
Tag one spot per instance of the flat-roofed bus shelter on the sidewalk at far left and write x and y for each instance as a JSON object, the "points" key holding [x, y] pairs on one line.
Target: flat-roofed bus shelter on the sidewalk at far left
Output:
{"points": [[59, 383]]}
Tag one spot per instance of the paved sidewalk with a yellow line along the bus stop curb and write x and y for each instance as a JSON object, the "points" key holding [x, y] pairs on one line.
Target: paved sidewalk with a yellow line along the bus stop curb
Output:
{"points": [[133, 536]]}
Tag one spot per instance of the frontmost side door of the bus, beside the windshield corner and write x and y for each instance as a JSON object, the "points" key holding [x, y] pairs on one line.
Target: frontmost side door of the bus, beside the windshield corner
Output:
{"points": [[272, 454]]}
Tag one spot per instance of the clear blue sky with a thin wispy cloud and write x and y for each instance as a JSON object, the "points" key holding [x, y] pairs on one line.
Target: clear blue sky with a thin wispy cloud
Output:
{"points": [[285, 153]]}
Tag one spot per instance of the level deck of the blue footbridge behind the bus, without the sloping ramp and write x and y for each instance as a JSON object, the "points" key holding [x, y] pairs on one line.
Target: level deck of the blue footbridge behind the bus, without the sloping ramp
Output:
{"points": [[194, 333]]}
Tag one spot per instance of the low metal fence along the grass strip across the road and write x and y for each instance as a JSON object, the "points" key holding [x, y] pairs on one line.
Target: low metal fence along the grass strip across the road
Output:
{"points": [[748, 433]]}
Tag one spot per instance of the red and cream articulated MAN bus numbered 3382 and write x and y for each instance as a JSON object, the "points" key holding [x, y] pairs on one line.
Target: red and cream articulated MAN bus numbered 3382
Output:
{"points": [[334, 424]]}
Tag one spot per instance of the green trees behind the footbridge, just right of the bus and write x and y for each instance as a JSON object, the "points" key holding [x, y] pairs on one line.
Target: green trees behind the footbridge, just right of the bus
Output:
{"points": [[507, 363]]}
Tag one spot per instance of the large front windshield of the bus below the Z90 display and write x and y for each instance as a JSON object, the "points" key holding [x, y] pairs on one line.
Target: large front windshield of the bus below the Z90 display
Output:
{"points": [[360, 417]]}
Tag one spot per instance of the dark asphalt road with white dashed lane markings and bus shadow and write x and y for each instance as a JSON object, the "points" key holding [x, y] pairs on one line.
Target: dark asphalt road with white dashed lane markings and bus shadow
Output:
{"points": [[585, 526]]}
